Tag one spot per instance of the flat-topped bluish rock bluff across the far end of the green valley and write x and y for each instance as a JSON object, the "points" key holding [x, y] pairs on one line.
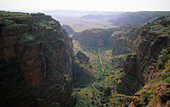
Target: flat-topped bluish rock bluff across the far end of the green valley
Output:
{"points": [[101, 37]]}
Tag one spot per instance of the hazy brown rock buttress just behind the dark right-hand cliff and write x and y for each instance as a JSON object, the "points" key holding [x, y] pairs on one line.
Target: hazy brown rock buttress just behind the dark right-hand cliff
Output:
{"points": [[127, 43]]}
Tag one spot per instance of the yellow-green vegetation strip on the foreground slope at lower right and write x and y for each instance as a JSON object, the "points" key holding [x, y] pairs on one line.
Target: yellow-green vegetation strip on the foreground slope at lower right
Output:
{"points": [[161, 77]]}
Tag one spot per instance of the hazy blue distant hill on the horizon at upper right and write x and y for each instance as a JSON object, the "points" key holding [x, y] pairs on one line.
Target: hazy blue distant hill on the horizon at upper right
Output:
{"points": [[137, 18]]}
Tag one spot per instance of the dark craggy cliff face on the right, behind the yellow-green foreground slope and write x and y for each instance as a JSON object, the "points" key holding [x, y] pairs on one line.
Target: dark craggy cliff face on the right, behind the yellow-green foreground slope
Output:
{"points": [[139, 68]]}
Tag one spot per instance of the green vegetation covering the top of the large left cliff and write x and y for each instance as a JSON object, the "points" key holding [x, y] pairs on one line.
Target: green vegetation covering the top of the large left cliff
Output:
{"points": [[23, 23]]}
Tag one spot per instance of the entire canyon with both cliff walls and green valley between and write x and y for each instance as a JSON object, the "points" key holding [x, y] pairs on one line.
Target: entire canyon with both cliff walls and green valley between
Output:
{"points": [[44, 64]]}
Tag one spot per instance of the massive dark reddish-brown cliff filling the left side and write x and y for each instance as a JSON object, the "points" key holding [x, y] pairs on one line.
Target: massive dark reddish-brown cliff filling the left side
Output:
{"points": [[35, 61]]}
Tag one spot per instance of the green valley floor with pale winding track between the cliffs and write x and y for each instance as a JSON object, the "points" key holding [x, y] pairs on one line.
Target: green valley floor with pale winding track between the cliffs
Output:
{"points": [[106, 69]]}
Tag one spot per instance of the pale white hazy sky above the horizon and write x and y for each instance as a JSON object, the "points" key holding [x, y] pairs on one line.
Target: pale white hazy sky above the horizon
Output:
{"points": [[101, 5]]}
